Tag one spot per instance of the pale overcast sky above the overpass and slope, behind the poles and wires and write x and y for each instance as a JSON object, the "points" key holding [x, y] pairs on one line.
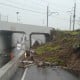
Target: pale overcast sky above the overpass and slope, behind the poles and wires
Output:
{"points": [[34, 12]]}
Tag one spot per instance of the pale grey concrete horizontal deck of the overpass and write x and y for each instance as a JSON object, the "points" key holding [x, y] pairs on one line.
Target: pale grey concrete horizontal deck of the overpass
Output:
{"points": [[23, 27]]}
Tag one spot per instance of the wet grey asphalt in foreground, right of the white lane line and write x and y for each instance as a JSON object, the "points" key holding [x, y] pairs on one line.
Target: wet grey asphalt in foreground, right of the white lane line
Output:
{"points": [[35, 73]]}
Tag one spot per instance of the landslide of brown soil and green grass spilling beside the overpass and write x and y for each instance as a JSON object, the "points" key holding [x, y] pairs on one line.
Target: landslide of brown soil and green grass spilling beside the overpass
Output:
{"points": [[64, 49]]}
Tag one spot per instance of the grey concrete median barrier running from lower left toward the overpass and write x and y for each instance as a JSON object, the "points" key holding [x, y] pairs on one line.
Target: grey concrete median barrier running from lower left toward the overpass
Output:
{"points": [[10, 68]]}
